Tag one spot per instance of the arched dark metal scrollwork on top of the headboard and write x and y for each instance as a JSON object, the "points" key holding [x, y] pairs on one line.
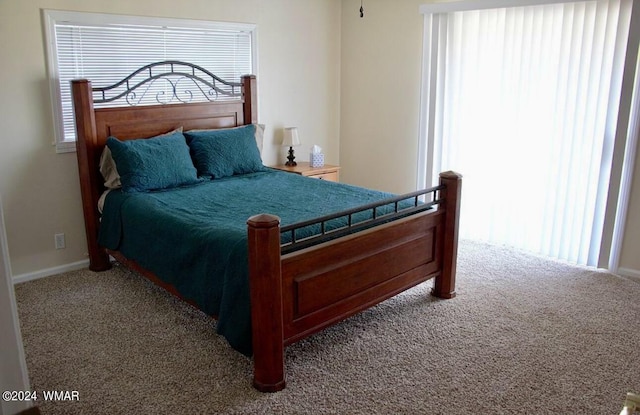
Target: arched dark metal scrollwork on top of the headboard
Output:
{"points": [[166, 82]]}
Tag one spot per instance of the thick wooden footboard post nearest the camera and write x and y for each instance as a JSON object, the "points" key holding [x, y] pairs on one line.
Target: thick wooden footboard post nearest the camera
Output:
{"points": [[265, 284]]}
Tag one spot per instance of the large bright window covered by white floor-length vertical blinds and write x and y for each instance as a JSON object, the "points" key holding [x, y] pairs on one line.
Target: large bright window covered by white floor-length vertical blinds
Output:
{"points": [[530, 94]]}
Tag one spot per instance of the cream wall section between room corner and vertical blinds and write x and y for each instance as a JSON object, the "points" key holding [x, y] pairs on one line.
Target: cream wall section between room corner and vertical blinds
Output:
{"points": [[381, 65]]}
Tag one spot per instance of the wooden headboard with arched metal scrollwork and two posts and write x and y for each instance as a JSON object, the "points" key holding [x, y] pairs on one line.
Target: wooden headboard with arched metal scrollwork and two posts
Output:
{"points": [[95, 125]]}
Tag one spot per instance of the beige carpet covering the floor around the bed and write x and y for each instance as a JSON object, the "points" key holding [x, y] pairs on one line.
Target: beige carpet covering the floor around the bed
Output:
{"points": [[525, 335]]}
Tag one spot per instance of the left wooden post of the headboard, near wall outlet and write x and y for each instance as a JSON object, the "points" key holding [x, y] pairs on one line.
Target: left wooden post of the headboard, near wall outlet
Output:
{"points": [[88, 170]]}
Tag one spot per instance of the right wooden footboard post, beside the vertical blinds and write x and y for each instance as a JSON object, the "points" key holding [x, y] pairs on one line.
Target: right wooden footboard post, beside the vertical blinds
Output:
{"points": [[445, 283]]}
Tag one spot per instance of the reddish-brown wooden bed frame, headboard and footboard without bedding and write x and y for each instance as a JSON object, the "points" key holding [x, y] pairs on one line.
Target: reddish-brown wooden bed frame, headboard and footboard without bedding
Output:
{"points": [[296, 294]]}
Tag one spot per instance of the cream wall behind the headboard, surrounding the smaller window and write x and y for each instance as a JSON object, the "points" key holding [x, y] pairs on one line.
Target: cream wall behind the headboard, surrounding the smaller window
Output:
{"points": [[298, 83]]}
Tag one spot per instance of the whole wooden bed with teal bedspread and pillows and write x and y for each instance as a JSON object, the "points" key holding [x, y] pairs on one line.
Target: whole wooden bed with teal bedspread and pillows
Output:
{"points": [[289, 273]]}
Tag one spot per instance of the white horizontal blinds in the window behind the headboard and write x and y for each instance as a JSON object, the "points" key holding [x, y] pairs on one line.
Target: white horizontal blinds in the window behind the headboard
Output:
{"points": [[106, 54]]}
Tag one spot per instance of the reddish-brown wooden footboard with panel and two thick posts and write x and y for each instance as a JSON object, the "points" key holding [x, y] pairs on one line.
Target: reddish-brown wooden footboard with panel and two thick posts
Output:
{"points": [[299, 293]]}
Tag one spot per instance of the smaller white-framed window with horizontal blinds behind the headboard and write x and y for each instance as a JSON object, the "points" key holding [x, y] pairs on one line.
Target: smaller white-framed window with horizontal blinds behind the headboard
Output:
{"points": [[106, 48]]}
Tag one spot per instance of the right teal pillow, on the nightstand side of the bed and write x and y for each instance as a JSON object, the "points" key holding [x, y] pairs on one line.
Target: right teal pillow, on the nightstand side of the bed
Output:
{"points": [[225, 152]]}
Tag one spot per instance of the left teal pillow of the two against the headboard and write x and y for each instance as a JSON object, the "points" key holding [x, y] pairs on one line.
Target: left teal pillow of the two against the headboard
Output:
{"points": [[153, 163]]}
